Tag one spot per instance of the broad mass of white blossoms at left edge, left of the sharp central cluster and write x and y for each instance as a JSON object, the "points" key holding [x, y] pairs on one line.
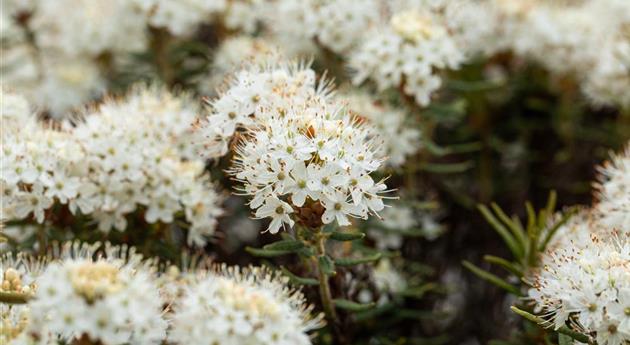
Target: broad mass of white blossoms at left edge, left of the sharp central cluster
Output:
{"points": [[127, 154]]}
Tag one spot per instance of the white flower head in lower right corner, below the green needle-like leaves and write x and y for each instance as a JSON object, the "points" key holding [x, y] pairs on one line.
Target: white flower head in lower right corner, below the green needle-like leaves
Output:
{"points": [[586, 283]]}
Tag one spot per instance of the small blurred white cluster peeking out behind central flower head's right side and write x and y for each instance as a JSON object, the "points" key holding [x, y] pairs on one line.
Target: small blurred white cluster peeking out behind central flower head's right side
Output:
{"points": [[402, 138]]}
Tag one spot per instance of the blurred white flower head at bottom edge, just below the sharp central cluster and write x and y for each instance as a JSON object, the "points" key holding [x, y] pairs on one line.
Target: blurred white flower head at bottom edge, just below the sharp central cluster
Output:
{"points": [[242, 306]]}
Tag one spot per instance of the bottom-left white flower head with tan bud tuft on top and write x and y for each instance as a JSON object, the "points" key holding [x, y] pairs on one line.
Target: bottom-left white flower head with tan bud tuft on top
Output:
{"points": [[107, 294]]}
